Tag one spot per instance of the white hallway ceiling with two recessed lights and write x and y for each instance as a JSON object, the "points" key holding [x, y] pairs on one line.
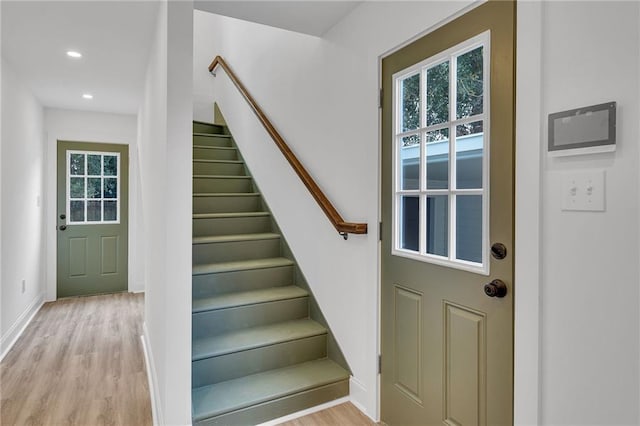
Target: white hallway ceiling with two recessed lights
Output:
{"points": [[113, 36]]}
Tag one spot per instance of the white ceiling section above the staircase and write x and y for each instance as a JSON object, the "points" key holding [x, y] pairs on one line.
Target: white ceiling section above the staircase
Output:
{"points": [[307, 17]]}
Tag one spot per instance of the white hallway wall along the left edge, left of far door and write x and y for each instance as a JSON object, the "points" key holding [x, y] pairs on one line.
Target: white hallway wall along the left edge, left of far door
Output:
{"points": [[23, 256]]}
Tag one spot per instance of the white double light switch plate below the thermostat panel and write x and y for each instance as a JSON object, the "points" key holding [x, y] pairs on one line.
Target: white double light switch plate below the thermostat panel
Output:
{"points": [[583, 191]]}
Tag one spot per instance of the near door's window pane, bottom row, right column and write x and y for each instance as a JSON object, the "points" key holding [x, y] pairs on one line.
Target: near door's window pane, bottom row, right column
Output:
{"points": [[469, 228]]}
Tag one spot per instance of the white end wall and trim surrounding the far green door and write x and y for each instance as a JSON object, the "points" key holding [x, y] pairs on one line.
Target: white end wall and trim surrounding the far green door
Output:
{"points": [[85, 126]]}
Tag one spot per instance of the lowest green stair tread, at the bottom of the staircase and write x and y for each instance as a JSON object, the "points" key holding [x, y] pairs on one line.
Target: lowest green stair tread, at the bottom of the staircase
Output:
{"points": [[220, 398]]}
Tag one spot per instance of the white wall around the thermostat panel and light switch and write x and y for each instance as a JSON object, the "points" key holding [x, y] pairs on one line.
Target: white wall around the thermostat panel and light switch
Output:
{"points": [[590, 277]]}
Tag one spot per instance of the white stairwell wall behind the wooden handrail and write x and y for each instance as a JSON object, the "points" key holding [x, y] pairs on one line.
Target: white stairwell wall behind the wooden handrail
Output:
{"points": [[321, 94]]}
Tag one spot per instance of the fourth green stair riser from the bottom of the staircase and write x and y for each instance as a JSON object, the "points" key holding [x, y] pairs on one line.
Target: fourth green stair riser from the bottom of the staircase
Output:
{"points": [[253, 279]]}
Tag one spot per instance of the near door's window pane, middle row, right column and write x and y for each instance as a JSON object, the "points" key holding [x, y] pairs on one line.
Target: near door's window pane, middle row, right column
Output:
{"points": [[469, 155]]}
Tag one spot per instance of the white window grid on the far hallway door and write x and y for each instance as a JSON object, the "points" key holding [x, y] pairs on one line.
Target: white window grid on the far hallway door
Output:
{"points": [[86, 176]]}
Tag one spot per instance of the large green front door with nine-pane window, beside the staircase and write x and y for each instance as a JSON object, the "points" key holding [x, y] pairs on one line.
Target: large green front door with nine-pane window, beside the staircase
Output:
{"points": [[448, 215]]}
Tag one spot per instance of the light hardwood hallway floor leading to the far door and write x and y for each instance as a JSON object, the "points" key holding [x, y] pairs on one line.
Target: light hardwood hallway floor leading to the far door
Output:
{"points": [[79, 362]]}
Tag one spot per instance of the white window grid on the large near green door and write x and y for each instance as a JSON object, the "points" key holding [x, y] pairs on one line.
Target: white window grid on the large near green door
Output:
{"points": [[482, 40]]}
